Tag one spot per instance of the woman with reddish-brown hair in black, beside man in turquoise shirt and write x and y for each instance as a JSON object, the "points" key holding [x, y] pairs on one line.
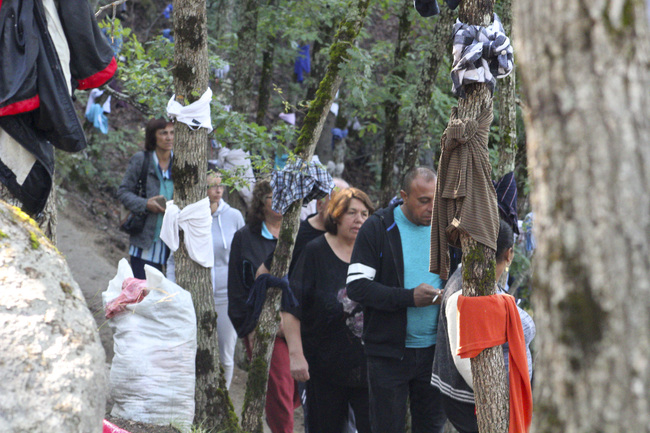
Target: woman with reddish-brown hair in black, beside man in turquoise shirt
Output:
{"points": [[330, 322]]}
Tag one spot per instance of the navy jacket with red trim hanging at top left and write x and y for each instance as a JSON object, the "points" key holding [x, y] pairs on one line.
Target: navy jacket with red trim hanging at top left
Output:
{"points": [[31, 76]]}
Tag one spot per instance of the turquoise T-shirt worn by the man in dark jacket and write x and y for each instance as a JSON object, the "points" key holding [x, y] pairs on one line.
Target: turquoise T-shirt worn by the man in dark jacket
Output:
{"points": [[422, 322]]}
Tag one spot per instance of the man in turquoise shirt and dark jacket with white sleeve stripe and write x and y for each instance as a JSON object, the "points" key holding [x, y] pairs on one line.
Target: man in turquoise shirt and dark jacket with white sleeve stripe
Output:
{"points": [[389, 276]]}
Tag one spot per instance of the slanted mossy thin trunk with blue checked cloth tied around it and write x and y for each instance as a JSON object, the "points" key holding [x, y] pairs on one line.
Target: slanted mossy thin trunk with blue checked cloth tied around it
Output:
{"points": [[309, 134]]}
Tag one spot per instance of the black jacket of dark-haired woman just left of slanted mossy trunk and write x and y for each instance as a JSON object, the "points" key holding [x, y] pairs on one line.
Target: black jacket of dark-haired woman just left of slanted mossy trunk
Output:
{"points": [[247, 251]]}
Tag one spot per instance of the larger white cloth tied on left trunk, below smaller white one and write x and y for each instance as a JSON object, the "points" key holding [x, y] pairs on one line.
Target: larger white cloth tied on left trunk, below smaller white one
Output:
{"points": [[196, 221]]}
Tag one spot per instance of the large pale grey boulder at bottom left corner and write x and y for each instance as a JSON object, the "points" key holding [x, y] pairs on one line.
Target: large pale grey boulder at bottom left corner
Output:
{"points": [[52, 363]]}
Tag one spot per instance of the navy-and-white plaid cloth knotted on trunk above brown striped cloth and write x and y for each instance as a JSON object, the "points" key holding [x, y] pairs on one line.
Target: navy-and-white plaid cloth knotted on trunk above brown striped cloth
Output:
{"points": [[481, 54]]}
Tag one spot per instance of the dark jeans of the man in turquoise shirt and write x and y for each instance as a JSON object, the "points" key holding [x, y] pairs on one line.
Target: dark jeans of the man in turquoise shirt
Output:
{"points": [[391, 381]]}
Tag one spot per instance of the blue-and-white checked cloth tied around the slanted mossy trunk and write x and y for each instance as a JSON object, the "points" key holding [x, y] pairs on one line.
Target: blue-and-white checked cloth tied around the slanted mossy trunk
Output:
{"points": [[299, 180]]}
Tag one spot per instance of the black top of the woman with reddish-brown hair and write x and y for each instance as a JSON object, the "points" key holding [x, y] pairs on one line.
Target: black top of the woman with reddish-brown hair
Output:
{"points": [[332, 350]]}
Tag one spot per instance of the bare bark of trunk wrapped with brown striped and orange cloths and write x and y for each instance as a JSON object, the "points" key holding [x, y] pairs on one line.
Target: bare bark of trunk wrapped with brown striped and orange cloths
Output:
{"points": [[488, 369]]}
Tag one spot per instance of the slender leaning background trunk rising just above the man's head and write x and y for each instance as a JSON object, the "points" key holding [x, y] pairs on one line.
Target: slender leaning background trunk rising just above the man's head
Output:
{"points": [[416, 122]]}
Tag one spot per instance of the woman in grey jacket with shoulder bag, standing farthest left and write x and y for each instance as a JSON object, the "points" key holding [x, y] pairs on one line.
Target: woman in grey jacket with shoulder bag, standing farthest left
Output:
{"points": [[146, 247]]}
